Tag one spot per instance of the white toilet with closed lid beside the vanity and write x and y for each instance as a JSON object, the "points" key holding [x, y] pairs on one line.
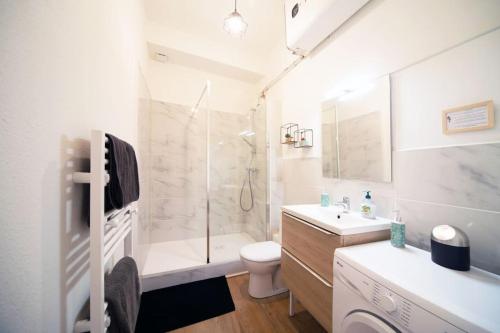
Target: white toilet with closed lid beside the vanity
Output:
{"points": [[263, 260]]}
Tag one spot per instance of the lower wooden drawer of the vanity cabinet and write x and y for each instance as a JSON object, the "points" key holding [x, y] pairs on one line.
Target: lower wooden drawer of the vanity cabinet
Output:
{"points": [[313, 292]]}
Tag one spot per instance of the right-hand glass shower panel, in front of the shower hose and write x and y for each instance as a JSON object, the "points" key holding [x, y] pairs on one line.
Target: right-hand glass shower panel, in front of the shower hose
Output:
{"points": [[238, 174]]}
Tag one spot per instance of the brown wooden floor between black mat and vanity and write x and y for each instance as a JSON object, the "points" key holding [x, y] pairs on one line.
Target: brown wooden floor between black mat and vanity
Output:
{"points": [[256, 315]]}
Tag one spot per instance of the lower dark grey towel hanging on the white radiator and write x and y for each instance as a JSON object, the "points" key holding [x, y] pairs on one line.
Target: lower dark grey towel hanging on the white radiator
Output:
{"points": [[122, 292]]}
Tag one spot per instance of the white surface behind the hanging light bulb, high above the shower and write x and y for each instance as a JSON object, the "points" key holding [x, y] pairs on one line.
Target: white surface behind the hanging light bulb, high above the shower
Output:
{"points": [[204, 18]]}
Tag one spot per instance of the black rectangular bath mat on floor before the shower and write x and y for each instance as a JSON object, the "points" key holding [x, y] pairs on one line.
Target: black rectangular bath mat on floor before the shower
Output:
{"points": [[178, 306]]}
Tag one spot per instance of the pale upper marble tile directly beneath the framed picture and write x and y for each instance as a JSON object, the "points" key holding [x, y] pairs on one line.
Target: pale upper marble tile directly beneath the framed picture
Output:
{"points": [[466, 176]]}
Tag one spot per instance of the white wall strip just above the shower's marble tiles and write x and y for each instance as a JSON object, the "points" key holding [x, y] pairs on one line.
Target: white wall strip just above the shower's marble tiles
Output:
{"points": [[183, 85]]}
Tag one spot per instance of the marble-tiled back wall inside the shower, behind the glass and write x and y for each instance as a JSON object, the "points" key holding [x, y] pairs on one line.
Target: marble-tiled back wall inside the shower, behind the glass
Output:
{"points": [[178, 174]]}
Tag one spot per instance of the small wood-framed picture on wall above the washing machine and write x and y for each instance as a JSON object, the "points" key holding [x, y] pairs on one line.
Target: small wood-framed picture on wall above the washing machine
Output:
{"points": [[473, 117]]}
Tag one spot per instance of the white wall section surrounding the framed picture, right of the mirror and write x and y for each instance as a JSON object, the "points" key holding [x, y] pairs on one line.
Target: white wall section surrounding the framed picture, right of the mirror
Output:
{"points": [[464, 75]]}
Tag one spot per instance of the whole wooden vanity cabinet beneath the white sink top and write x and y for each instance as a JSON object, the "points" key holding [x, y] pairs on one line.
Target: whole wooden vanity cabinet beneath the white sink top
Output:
{"points": [[307, 263]]}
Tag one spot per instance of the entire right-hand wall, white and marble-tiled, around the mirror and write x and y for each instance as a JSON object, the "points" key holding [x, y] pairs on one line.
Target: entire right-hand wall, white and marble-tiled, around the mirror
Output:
{"points": [[442, 54]]}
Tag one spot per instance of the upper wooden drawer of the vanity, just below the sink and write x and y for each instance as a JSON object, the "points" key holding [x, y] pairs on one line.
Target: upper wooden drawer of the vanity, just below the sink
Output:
{"points": [[310, 244]]}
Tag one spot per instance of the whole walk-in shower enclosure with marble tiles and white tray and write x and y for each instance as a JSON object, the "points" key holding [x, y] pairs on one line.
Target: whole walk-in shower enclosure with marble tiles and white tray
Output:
{"points": [[204, 171]]}
